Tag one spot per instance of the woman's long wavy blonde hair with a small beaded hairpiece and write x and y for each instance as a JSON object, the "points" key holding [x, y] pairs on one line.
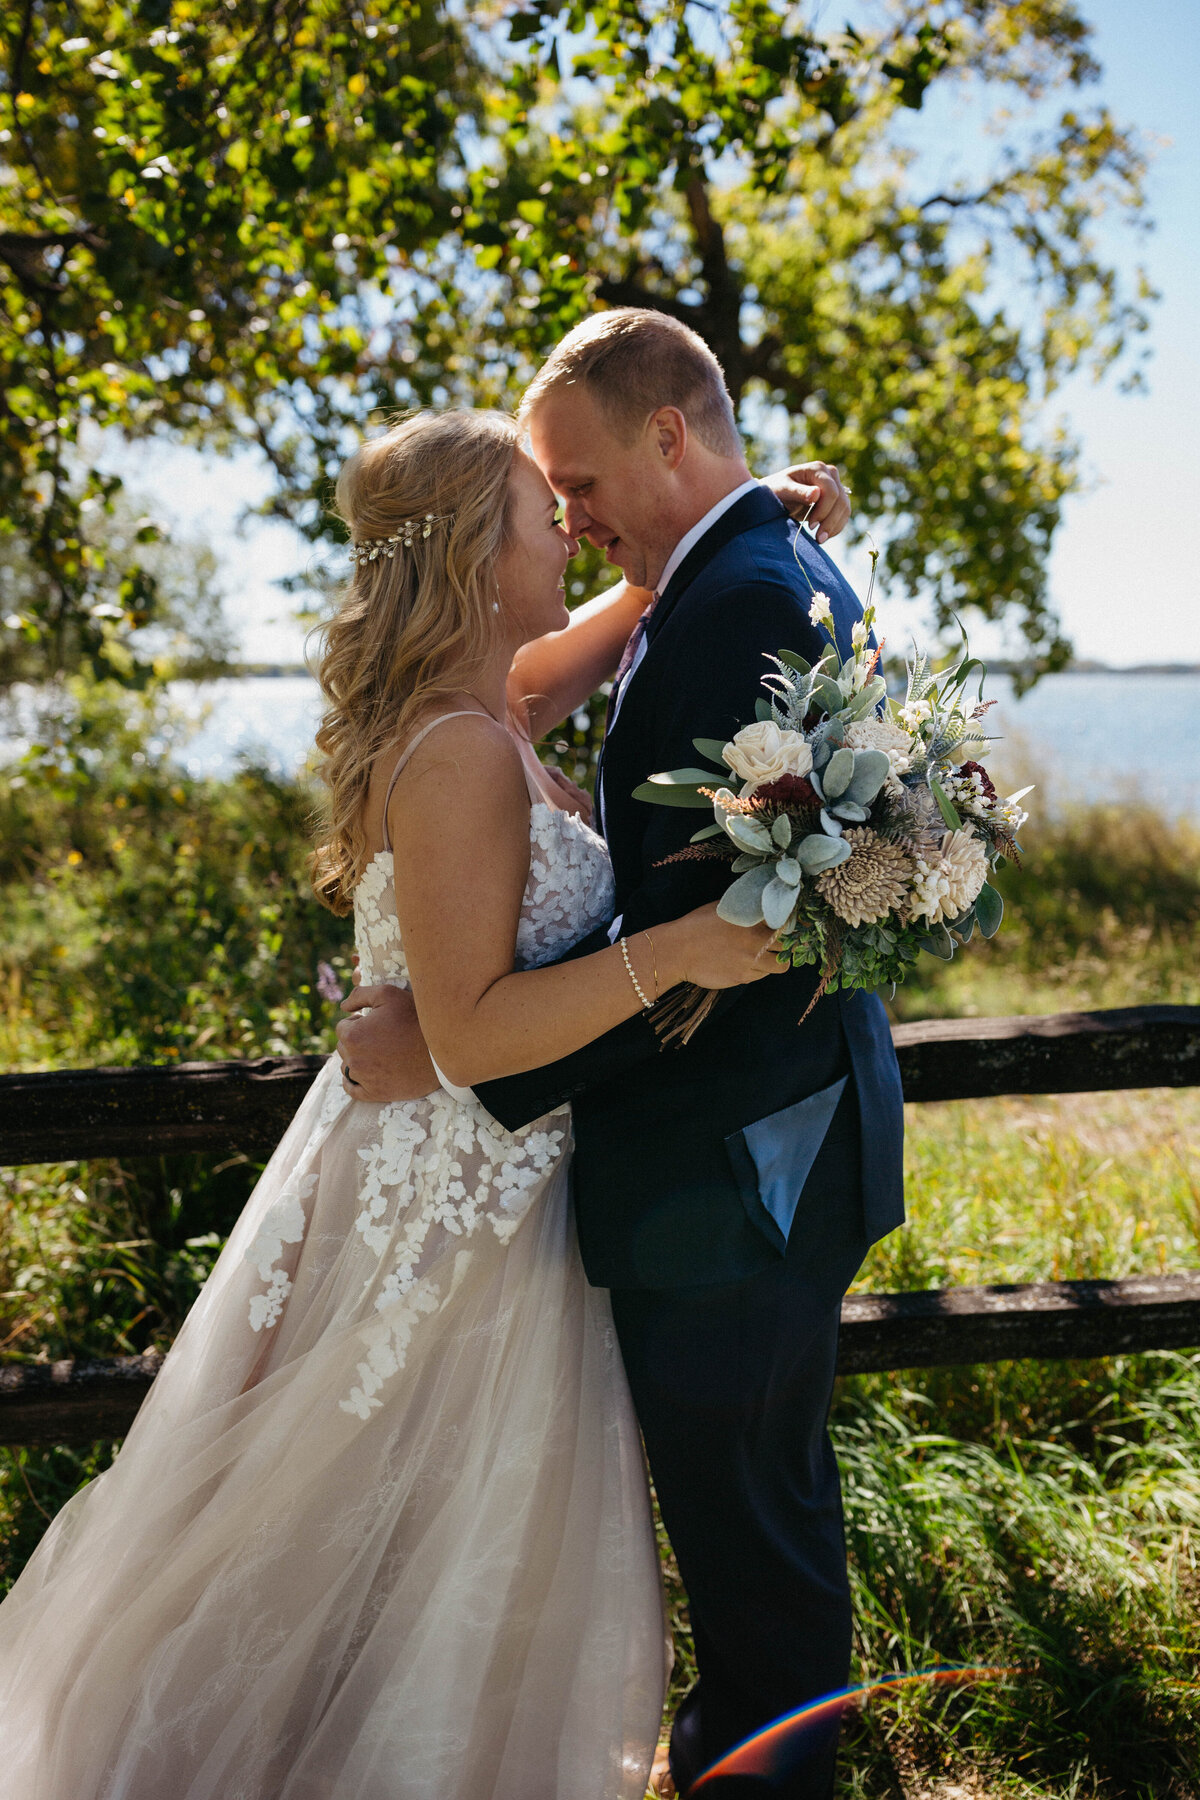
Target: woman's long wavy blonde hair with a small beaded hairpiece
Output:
{"points": [[413, 627]]}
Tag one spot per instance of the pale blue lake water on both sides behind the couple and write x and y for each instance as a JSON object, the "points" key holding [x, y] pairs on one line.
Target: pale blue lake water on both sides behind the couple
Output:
{"points": [[1079, 737]]}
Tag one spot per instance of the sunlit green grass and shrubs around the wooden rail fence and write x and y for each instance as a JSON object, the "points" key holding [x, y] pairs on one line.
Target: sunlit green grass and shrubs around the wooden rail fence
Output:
{"points": [[1030, 1515]]}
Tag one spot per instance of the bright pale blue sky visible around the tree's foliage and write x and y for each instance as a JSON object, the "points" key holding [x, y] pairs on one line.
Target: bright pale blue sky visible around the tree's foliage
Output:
{"points": [[1127, 559]]}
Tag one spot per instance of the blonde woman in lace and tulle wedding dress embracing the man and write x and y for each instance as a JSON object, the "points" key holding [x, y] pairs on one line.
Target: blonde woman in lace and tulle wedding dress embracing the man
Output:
{"points": [[381, 1531]]}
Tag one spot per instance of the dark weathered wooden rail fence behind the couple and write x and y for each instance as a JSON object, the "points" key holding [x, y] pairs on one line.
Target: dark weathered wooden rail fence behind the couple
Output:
{"points": [[246, 1106]]}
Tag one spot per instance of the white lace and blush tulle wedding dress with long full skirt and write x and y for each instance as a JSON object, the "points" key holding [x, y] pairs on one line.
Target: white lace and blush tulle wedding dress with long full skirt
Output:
{"points": [[381, 1531]]}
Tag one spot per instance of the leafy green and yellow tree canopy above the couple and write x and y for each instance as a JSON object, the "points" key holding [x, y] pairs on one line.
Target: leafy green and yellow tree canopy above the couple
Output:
{"points": [[273, 219]]}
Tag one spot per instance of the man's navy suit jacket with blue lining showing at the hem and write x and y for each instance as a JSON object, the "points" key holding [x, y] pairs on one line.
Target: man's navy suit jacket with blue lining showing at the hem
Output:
{"points": [[690, 1162]]}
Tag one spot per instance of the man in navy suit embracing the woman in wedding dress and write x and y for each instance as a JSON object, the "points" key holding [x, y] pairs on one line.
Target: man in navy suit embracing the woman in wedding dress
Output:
{"points": [[726, 1191]]}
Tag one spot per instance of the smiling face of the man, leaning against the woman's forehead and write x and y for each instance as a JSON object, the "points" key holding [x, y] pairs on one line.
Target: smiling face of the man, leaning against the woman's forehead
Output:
{"points": [[616, 494]]}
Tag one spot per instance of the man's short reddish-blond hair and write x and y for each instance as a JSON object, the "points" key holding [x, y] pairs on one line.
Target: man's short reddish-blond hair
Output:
{"points": [[634, 361]]}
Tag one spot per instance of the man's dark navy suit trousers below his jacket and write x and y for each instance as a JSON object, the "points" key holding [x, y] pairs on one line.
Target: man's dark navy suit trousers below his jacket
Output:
{"points": [[733, 1389]]}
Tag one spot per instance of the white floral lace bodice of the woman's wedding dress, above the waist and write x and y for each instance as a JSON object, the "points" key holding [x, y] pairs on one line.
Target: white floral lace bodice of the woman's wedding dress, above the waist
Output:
{"points": [[568, 895]]}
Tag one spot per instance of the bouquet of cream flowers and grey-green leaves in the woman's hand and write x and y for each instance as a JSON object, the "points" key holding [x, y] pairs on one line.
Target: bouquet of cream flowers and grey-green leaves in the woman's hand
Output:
{"points": [[861, 831]]}
